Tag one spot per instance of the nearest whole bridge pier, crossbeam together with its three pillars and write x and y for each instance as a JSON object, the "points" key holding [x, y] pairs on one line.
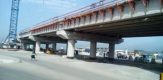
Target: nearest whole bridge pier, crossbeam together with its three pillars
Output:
{"points": [[71, 36]]}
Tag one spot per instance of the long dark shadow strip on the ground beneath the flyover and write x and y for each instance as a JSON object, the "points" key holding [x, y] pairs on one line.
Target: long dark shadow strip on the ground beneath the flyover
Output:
{"points": [[155, 67]]}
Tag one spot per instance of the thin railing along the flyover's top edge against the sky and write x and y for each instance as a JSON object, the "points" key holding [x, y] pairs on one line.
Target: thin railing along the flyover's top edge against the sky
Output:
{"points": [[82, 11]]}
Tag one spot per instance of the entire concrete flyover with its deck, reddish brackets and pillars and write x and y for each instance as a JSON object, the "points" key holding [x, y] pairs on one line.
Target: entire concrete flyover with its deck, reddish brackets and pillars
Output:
{"points": [[104, 21]]}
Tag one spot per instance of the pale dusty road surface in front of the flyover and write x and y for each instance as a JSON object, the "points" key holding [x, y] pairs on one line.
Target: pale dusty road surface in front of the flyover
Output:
{"points": [[53, 67]]}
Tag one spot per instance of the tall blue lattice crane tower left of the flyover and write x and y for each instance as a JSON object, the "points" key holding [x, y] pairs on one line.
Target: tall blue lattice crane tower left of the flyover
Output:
{"points": [[11, 39]]}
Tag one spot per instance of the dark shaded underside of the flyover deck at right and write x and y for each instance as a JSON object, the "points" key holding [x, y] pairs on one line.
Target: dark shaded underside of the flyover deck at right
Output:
{"points": [[138, 27]]}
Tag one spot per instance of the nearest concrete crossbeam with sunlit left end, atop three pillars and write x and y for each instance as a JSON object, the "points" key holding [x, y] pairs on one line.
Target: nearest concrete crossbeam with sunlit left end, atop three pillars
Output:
{"points": [[87, 37]]}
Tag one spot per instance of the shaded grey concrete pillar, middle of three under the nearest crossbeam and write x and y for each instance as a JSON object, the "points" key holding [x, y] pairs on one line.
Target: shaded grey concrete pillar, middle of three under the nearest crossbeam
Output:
{"points": [[93, 49]]}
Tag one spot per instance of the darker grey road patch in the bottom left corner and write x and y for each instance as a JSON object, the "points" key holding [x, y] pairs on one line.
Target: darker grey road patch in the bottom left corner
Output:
{"points": [[16, 74]]}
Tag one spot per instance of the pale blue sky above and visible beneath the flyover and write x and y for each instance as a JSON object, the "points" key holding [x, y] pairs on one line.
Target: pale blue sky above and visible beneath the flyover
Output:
{"points": [[34, 11]]}
